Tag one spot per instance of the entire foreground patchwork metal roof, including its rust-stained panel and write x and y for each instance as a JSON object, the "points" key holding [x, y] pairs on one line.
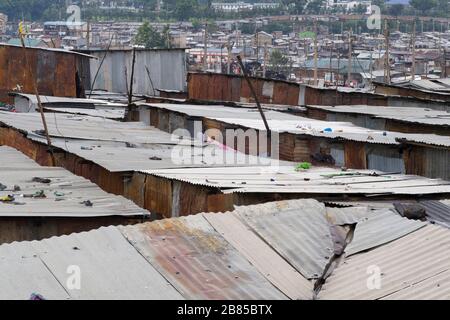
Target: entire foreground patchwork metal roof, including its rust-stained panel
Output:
{"points": [[298, 249]]}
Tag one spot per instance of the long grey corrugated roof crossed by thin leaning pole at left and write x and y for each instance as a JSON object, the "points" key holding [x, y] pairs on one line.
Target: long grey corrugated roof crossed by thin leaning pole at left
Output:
{"points": [[110, 143]]}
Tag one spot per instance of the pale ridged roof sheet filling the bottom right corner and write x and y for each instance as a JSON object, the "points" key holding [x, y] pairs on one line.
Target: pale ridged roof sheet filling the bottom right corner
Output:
{"points": [[411, 267]]}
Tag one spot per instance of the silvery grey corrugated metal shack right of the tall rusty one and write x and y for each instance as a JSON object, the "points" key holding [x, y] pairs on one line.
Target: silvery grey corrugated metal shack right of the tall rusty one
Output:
{"points": [[112, 71]]}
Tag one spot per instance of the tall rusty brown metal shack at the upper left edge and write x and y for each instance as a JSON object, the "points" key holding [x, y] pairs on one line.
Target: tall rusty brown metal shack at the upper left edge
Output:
{"points": [[65, 79]]}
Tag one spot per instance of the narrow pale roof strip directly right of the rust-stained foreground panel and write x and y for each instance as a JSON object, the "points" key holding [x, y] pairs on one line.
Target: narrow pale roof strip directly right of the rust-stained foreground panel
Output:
{"points": [[281, 274]]}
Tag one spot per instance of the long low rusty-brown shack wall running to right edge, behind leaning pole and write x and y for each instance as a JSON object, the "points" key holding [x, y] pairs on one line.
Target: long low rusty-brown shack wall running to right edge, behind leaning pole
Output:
{"points": [[223, 87]]}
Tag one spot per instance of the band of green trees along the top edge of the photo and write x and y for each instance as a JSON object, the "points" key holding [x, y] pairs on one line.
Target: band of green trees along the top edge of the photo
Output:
{"points": [[185, 10]]}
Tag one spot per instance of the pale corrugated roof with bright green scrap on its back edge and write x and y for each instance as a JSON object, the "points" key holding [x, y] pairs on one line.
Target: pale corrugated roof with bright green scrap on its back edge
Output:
{"points": [[284, 179]]}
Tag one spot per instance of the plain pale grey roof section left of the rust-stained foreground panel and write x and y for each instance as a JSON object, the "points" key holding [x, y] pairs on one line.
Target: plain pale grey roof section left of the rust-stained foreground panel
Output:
{"points": [[110, 269]]}
